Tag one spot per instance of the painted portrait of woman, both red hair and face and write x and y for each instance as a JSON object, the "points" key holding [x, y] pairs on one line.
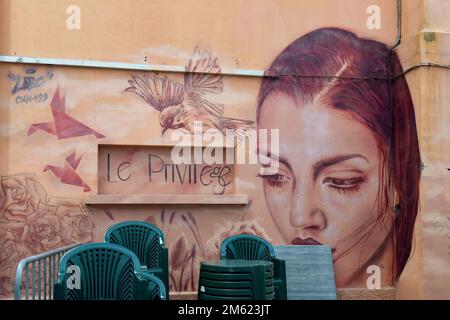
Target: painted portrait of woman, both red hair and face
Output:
{"points": [[349, 162]]}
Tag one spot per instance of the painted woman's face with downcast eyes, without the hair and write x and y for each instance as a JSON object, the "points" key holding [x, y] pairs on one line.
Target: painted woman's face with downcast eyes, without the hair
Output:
{"points": [[327, 184]]}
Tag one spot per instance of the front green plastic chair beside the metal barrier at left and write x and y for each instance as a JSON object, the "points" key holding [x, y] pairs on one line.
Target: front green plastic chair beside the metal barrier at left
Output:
{"points": [[106, 272]]}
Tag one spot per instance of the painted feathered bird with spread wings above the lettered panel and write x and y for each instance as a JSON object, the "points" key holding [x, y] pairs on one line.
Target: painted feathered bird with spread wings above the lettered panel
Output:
{"points": [[182, 104]]}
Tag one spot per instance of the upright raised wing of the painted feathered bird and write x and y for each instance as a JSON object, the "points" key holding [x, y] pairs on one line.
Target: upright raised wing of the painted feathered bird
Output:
{"points": [[203, 74]]}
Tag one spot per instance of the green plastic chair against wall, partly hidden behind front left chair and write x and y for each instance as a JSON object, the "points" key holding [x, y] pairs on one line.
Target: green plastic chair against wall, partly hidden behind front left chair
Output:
{"points": [[147, 242]]}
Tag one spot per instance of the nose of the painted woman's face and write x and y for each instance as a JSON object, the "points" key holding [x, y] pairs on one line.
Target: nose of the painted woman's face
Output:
{"points": [[306, 211]]}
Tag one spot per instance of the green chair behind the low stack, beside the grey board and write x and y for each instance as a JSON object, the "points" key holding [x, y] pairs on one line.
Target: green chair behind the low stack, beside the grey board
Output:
{"points": [[250, 247]]}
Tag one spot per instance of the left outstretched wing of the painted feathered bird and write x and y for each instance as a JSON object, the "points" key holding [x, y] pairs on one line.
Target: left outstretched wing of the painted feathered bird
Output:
{"points": [[158, 92]]}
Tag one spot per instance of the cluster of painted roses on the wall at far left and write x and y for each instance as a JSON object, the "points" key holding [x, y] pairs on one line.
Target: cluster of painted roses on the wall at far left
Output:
{"points": [[32, 221]]}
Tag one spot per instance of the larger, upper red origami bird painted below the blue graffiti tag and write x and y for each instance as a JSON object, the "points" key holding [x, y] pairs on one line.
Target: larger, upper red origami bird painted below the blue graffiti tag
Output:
{"points": [[63, 125]]}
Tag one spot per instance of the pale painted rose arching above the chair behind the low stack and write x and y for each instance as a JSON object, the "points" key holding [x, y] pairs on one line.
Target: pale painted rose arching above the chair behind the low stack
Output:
{"points": [[228, 229]]}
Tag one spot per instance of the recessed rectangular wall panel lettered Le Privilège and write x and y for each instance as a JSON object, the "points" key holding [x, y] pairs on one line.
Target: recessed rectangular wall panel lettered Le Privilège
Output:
{"points": [[154, 170]]}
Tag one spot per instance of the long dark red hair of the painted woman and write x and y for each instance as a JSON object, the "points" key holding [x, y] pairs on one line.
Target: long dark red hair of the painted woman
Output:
{"points": [[364, 78]]}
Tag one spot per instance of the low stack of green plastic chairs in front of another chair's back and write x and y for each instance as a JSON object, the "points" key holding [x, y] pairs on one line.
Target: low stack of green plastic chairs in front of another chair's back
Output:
{"points": [[236, 280]]}
